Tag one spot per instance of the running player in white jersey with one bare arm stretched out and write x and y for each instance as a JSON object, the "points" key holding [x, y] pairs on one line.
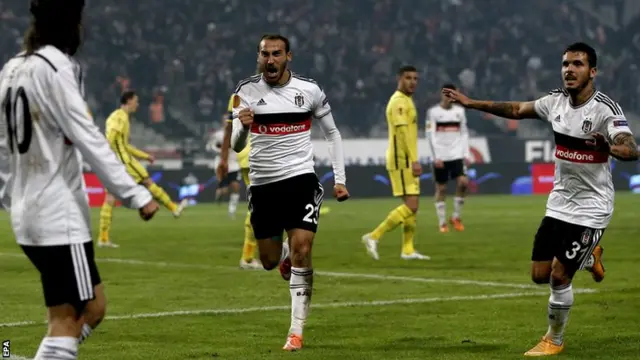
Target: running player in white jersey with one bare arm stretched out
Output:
{"points": [[588, 128]]}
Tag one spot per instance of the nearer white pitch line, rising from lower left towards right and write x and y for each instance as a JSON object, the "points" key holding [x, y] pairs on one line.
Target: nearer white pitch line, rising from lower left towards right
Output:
{"points": [[315, 306]]}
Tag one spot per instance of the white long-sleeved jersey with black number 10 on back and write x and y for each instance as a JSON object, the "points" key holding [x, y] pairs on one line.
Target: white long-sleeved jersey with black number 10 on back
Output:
{"points": [[47, 122]]}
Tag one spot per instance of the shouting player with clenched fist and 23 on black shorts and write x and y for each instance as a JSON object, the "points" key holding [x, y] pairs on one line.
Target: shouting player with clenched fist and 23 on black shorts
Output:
{"points": [[276, 108]]}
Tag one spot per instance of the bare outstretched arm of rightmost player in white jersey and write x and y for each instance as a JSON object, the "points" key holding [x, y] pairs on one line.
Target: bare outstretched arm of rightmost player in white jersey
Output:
{"points": [[509, 109]]}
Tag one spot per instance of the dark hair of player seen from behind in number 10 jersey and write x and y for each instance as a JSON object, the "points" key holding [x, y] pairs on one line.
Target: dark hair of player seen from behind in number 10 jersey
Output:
{"points": [[56, 23]]}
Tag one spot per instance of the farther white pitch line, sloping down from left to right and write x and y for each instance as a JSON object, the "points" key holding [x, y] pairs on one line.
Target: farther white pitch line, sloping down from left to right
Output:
{"points": [[323, 273]]}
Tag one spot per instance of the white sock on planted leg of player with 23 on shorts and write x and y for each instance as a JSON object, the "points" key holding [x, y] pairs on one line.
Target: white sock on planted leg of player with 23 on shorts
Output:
{"points": [[300, 285]]}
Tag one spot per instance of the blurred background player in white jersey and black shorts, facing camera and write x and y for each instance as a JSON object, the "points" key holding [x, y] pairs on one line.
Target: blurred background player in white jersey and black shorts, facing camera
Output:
{"points": [[448, 135]]}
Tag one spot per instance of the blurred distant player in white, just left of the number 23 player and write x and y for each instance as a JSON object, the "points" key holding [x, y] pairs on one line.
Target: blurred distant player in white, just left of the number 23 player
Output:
{"points": [[230, 183]]}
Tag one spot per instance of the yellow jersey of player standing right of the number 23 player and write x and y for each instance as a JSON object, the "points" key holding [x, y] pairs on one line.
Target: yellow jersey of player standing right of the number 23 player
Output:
{"points": [[402, 119]]}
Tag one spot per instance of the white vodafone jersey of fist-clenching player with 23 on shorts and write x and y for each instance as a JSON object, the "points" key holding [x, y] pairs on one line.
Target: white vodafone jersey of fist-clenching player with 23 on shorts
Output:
{"points": [[281, 131]]}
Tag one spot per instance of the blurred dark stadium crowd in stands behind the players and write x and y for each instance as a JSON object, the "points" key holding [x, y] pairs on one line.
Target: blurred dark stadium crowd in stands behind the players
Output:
{"points": [[184, 57]]}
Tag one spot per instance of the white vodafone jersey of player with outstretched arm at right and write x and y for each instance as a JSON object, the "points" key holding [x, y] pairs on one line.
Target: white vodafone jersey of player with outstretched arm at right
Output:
{"points": [[582, 189]]}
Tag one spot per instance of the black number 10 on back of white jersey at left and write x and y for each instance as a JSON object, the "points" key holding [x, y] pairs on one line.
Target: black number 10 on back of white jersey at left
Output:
{"points": [[17, 115]]}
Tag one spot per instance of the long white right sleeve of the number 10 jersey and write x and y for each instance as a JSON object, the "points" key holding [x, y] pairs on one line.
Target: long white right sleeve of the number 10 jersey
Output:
{"points": [[71, 114]]}
